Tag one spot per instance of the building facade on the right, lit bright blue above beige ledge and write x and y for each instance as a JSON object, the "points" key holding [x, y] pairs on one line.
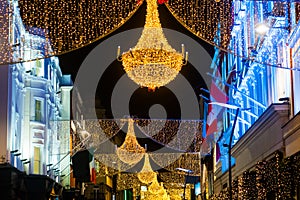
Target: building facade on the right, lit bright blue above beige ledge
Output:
{"points": [[260, 75]]}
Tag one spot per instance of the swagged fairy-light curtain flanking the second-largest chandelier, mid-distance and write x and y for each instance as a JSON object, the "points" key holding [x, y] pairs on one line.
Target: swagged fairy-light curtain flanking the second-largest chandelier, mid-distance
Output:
{"points": [[182, 135]]}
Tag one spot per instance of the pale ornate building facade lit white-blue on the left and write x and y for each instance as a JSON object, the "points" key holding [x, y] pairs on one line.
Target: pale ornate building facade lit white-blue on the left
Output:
{"points": [[35, 95]]}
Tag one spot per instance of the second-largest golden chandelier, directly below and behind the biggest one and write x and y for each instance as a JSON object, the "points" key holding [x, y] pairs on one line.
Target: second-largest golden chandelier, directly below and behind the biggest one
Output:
{"points": [[130, 151]]}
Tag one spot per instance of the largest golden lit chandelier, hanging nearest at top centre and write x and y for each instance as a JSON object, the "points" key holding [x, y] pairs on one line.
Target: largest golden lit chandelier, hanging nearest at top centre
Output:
{"points": [[152, 62]]}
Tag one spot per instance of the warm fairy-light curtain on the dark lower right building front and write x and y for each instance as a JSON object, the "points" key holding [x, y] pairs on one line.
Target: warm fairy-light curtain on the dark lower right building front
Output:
{"points": [[277, 178]]}
